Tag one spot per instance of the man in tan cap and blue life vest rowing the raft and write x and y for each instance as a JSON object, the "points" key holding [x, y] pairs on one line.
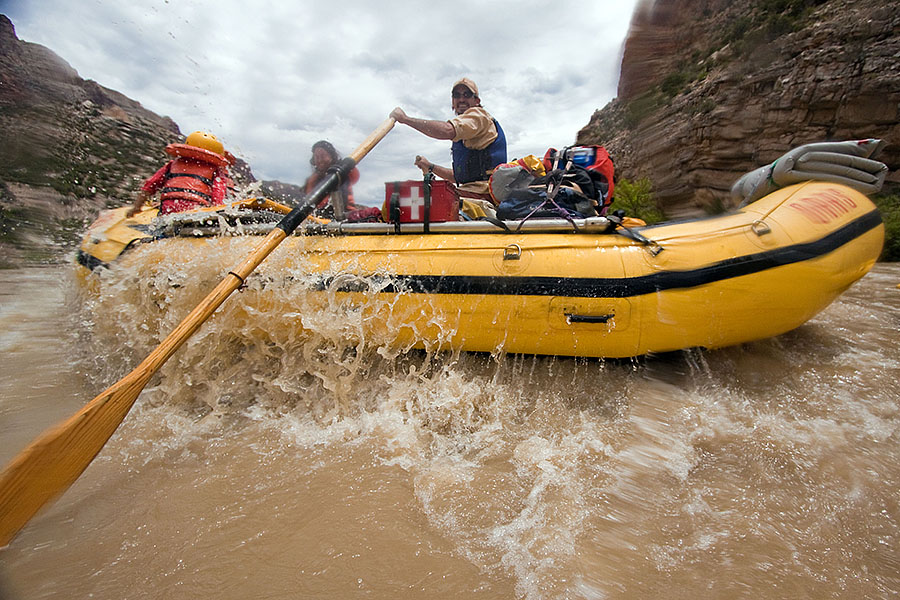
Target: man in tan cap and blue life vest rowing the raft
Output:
{"points": [[479, 144]]}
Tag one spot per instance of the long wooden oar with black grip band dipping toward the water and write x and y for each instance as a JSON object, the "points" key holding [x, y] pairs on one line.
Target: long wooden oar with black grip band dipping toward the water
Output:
{"points": [[48, 466]]}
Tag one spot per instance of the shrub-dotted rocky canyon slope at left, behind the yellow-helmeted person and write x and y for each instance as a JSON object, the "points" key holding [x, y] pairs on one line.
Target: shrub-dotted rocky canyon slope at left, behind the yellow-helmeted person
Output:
{"points": [[68, 147]]}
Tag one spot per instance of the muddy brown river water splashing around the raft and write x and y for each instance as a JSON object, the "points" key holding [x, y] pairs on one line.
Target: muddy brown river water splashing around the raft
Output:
{"points": [[262, 463]]}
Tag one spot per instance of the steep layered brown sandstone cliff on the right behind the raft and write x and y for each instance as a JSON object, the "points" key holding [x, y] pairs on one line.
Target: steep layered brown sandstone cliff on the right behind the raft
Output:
{"points": [[710, 90]]}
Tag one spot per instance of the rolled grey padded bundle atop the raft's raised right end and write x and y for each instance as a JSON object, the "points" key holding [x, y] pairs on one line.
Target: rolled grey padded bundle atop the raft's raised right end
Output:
{"points": [[848, 163]]}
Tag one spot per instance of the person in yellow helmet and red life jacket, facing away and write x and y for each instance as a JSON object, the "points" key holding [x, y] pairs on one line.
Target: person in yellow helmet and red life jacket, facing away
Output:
{"points": [[196, 177]]}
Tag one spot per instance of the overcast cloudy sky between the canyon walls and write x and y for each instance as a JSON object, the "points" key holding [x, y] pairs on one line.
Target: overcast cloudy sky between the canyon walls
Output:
{"points": [[271, 78]]}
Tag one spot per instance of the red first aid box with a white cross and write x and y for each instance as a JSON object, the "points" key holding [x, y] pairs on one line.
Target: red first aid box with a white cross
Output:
{"points": [[409, 199]]}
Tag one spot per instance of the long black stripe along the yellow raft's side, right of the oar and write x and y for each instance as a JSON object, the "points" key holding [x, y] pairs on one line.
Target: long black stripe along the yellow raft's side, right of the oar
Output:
{"points": [[583, 287]]}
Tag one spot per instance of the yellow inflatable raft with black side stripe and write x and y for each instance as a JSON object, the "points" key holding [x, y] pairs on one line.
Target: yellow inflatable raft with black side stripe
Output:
{"points": [[554, 287]]}
